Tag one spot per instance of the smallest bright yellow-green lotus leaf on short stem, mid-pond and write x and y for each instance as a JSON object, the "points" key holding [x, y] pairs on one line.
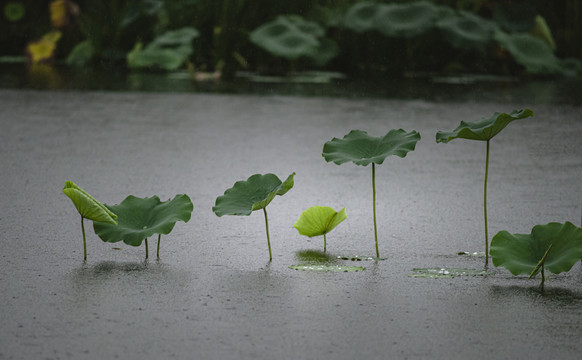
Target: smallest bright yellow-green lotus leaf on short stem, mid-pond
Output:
{"points": [[319, 220]]}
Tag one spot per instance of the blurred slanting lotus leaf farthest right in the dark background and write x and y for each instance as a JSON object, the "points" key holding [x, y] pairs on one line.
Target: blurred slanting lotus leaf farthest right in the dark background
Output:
{"points": [[533, 53]]}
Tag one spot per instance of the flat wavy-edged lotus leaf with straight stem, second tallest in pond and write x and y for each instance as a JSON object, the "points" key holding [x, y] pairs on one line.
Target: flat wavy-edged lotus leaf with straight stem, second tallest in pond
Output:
{"points": [[362, 149]]}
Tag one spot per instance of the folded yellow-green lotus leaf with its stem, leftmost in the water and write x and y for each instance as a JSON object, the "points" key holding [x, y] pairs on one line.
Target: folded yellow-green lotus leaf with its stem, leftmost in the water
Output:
{"points": [[88, 208]]}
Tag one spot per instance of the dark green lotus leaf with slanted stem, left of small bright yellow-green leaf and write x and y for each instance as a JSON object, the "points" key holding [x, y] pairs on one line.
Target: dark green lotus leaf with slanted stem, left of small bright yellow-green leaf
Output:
{"points": [[255, 193]]}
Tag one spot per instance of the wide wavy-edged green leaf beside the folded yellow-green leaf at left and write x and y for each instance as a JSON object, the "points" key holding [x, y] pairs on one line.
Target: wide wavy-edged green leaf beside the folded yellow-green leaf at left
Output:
{"points": [[140, 218]]}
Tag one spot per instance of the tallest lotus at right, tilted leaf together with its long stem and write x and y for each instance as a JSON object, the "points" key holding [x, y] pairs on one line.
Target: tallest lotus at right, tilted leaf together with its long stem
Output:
{"points": [[483, 130]]}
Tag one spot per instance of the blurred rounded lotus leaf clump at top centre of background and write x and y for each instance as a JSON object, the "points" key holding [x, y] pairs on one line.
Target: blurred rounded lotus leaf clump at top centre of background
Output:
{"points": [[292, 37]]}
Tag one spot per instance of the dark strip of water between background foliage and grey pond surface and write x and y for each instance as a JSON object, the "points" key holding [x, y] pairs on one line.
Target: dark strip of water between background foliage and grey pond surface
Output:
{"points": [[438, 88]]}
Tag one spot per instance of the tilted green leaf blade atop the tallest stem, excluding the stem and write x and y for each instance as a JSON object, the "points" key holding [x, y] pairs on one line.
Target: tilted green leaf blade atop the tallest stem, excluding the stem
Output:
{"points": [[484, 129]]}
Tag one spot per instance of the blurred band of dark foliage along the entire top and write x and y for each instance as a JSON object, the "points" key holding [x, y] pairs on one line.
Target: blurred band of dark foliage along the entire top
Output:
{"points": [[358, 38]]}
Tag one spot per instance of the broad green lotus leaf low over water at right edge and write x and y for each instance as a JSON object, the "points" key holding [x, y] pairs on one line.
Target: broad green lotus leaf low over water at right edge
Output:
{"points": [[521, 253]]}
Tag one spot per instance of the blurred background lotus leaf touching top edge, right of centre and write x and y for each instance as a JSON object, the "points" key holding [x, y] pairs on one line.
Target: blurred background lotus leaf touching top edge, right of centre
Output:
{"points": [[407, 19]]}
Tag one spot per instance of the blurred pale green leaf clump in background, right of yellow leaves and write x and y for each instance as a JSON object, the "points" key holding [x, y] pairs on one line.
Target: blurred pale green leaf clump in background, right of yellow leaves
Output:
{"points": [[167, 51]]}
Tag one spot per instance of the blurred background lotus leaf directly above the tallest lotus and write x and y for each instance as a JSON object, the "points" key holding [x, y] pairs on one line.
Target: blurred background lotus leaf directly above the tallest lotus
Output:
{"points": [[467, 30]]}
